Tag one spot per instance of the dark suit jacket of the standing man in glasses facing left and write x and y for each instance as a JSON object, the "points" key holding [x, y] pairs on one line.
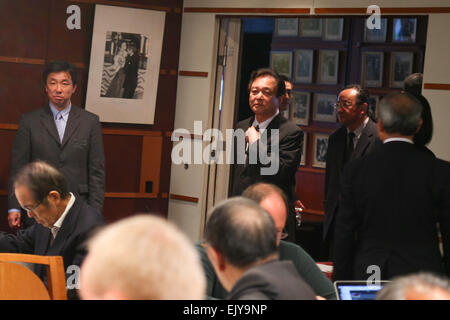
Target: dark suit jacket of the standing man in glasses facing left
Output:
{"points": [[367, 143]]}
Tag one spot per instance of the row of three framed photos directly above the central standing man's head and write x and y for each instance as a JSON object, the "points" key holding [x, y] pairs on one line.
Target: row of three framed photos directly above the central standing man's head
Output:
{"points": [[302, 72]]}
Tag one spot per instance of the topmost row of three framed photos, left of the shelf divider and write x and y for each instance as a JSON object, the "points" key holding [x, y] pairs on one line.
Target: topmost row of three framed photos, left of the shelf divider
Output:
{"points": [[329, 29]]}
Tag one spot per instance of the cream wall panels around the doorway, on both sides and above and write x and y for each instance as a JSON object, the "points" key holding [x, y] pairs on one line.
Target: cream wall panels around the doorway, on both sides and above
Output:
{"points": [[193, 95]]}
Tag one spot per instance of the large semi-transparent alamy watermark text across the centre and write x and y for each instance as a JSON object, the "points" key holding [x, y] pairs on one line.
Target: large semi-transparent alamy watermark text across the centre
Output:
{"points": [[233, 149]]}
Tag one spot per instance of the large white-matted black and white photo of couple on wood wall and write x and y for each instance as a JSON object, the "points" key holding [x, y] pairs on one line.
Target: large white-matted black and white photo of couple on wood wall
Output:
{"points": [[125, 62]]}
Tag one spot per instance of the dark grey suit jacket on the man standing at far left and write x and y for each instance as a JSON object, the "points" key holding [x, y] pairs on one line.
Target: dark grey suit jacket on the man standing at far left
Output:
{"points": [[80, 157]]}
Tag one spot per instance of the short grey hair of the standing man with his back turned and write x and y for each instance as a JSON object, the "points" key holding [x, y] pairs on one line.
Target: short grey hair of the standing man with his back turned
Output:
{"points": [[400, 113]]}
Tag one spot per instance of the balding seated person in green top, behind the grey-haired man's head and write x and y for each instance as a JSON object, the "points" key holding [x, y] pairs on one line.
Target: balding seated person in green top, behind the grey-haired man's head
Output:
{"points": [[272, 199]]}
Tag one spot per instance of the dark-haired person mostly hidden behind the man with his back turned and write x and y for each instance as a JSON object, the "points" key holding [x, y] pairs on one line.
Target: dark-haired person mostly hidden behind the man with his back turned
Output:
{"points": [[413, 85]]}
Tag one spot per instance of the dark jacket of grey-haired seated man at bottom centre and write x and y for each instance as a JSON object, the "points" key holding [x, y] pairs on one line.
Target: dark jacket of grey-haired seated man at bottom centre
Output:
{"points": [[274, 280]]}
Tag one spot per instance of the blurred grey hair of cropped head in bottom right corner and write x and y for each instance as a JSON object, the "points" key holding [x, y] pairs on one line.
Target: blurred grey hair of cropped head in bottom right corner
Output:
{"points": [[421, 282]]}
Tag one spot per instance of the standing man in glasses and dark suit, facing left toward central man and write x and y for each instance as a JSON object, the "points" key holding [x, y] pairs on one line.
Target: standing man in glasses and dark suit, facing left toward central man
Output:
{"points": [[356, 137]]}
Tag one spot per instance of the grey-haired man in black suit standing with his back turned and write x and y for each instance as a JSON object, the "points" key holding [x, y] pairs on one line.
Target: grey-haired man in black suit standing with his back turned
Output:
{"points": [[391, 202]]}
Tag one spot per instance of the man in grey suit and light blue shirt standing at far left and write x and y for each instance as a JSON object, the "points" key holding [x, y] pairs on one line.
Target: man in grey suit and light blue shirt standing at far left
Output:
{"points": [[64, 135]]}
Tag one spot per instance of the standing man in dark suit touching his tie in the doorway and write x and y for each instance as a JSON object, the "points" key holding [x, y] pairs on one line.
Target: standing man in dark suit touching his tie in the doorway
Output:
{"points": [[268, 135]]}
